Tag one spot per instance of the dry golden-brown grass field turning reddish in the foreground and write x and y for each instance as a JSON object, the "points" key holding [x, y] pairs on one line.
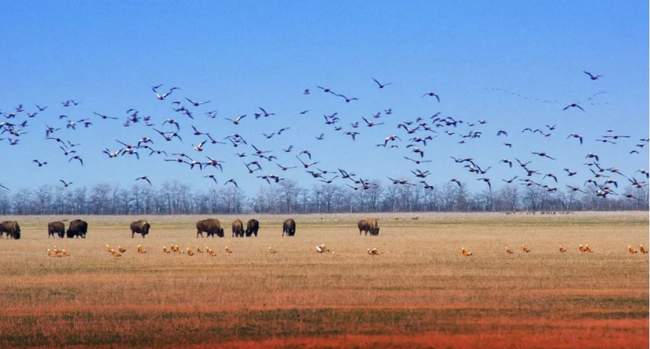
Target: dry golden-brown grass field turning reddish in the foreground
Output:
{"points": [[419, 292]]}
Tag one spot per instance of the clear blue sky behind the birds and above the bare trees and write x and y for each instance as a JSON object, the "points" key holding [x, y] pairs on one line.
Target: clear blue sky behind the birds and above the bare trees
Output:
{"points": [[491, 60]]}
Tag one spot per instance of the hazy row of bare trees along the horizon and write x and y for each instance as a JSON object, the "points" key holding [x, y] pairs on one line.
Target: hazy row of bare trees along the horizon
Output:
{"points": [[288, 197]]}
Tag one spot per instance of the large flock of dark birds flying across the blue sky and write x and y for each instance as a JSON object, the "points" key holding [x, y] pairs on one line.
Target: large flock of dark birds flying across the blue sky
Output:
{"points": [[411, 136]]}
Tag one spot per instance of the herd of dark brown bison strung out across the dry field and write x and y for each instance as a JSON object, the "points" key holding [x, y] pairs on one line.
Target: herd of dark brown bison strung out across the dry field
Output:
{"points": [[79, 228]]}
